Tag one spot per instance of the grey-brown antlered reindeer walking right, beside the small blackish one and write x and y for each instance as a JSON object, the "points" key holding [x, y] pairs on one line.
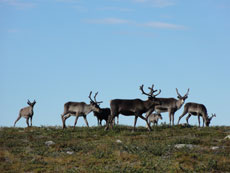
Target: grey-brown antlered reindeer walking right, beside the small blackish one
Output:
{"points": [[79, 109]]}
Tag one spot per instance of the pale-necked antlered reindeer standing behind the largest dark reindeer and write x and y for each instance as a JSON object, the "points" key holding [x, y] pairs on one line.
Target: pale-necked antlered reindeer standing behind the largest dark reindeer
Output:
{"points": [[170, 105]]}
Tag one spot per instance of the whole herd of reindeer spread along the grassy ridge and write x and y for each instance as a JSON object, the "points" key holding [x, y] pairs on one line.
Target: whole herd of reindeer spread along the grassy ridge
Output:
{"points": [[152, 107]]}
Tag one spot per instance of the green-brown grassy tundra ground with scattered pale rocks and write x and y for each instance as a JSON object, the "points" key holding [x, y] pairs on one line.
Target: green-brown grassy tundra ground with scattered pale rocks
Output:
{"points": [[118, 150]]}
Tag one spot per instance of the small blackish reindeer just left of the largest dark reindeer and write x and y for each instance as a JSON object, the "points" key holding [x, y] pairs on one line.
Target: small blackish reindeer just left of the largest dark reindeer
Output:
{"points": [[103, 114]]}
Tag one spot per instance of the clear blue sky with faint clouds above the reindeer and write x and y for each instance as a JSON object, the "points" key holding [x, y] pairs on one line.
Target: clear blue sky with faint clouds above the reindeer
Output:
{"points": [[59, 50]]}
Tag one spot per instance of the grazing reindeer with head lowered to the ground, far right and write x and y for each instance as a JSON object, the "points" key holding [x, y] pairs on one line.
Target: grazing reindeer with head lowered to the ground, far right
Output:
{"points": [[198, 110]]}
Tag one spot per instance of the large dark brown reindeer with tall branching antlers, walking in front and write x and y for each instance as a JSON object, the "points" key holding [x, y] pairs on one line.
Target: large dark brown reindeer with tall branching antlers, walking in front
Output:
{"points": [[134, 107]]}
